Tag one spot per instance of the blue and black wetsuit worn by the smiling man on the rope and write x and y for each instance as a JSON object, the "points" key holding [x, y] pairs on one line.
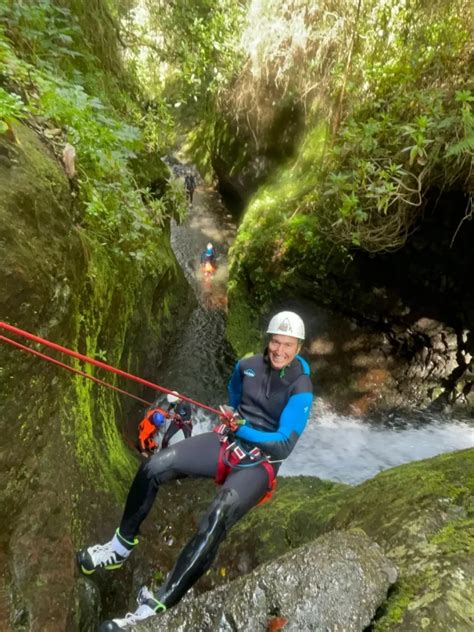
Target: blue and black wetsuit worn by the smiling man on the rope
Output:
{"points": [[275, 405]]}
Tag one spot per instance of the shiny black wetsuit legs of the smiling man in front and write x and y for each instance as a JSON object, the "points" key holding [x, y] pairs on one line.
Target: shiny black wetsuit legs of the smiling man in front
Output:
{"points": [[197, 456]]}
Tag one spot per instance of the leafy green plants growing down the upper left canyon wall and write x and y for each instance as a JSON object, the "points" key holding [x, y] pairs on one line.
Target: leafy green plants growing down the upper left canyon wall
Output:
{"points": [[113, 205]]}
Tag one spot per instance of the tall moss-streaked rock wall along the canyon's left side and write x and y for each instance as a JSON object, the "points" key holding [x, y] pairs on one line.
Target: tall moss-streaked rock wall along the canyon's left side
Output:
{"points": [[57, 432]]}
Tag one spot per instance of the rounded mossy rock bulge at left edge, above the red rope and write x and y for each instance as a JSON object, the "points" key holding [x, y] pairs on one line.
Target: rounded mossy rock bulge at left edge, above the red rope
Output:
{"points": [[40, 244]]}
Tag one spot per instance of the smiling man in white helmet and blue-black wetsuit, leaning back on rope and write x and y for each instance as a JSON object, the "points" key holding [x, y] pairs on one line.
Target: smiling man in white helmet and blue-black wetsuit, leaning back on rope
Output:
{"points": [[270, 397]]}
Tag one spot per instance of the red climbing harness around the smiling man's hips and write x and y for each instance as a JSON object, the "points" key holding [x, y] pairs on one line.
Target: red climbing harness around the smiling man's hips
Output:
{"points": [[231, 454]]}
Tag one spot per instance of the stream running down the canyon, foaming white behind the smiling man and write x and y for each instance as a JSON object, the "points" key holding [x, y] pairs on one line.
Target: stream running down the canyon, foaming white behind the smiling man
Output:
{"points": [[348, 448]]}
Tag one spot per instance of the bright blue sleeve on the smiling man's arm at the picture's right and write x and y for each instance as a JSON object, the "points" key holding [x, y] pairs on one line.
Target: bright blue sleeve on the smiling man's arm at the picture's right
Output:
{"points": [[292, 423]]}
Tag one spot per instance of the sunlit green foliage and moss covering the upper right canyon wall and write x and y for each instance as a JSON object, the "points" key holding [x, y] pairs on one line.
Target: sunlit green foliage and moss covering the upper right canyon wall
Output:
{"points": [[389, 85]]}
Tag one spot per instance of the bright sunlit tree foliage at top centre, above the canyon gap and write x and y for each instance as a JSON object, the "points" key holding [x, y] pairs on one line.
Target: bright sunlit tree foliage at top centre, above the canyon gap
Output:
{"points": [[189, 51]]}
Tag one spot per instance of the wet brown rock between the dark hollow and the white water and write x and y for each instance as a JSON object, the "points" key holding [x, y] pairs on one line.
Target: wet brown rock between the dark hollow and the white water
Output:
{"points": [[396, 362]]}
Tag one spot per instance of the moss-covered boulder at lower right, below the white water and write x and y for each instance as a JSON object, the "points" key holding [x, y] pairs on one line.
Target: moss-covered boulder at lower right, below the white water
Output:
{"points": [[420, 513]]}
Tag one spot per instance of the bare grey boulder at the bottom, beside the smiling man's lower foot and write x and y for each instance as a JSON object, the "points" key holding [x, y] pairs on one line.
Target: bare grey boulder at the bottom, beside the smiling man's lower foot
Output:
{"points": [[334, 583]]}
